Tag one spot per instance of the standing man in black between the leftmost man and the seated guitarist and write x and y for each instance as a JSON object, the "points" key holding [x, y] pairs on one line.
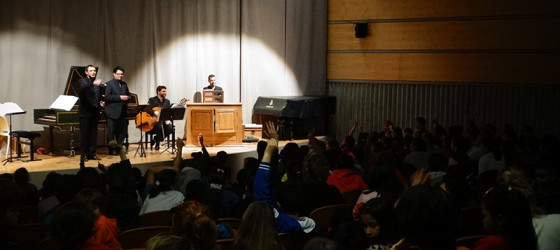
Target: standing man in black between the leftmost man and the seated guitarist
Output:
{"points": [[116, 101]]}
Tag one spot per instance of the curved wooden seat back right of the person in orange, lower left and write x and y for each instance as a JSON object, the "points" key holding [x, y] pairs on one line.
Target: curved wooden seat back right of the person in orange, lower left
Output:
{"points": [[137, 237]]}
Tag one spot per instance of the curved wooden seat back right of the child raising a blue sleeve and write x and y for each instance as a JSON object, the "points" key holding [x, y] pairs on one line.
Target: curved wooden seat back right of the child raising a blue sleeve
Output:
{"points": [[325, 216]]}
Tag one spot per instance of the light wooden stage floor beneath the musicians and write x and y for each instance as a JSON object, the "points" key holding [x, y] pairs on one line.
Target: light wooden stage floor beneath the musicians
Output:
{"points": [[70, 165]]}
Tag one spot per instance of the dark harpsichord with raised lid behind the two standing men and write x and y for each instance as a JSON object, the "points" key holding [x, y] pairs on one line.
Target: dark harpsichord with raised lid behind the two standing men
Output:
{"points": [[70, 119]]}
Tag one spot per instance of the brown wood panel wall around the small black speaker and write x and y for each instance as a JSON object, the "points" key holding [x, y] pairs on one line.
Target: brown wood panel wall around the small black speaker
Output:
{"points": [[445, 41]]}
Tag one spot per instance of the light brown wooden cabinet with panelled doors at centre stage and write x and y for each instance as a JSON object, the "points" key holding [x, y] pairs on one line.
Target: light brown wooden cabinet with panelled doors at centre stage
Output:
{"points": [[219, 123]]}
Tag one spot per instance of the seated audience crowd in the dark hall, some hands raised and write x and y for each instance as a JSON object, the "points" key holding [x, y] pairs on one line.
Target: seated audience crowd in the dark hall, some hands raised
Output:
{"points": [[520, 212]]}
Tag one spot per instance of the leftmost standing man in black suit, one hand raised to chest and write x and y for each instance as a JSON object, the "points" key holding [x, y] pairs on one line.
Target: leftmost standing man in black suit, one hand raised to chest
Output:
{"points": [[90, 101]]}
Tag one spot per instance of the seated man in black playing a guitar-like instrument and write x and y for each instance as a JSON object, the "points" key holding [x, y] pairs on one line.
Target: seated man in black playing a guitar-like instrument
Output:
{"points": [[162, 129]]}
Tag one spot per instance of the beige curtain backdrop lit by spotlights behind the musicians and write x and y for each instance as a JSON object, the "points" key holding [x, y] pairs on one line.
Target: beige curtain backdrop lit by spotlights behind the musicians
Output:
{"points": [[254, 47]]}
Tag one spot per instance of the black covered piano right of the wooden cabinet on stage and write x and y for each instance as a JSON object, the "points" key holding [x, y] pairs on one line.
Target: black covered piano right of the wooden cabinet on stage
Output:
{"points": [[295, 115]]}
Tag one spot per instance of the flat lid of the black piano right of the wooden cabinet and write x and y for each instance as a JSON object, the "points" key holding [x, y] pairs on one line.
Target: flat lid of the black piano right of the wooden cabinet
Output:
{"points": [[295, 106]]}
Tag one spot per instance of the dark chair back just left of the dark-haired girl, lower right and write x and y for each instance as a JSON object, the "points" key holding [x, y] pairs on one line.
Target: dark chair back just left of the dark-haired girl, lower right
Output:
{"points": [[469, 221]]}
